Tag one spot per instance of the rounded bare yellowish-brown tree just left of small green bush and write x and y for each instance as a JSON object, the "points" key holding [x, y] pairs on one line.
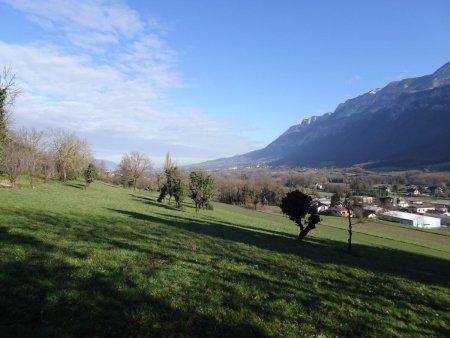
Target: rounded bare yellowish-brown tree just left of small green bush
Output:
{"points": [[71, 155]]}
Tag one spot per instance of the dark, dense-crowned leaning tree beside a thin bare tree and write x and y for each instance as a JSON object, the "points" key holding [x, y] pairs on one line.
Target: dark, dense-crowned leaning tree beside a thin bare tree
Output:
{"points": [[296, 205]]}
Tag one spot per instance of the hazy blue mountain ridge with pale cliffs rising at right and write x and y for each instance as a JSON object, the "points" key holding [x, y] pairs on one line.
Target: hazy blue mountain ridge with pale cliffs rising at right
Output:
{"points": [[403, 125]]}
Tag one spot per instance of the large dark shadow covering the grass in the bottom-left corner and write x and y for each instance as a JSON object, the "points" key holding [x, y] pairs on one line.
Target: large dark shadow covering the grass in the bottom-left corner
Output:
{"points": [[42, 295]]}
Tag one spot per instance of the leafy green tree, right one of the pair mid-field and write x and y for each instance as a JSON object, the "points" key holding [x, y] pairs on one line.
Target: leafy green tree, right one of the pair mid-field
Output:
{"points": [[200, 189]]}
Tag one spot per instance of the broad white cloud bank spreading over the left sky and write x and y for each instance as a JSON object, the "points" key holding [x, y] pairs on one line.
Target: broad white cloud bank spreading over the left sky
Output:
{"points": [[110, 83]]}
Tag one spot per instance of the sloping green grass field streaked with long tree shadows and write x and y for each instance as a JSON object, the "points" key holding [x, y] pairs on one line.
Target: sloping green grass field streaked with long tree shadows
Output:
{"points": [[110, 262]]}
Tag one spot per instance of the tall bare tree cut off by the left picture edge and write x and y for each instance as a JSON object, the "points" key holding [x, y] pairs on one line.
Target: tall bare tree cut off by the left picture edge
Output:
{"points": [[8, 94]]}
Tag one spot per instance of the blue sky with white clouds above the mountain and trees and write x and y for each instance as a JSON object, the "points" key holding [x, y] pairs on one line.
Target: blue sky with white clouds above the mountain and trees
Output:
{"points": [[207, 79]]}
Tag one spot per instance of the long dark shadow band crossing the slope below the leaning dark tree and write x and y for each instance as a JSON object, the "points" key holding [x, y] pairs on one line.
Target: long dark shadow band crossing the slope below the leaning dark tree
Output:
{"points": [[415, 267]]}
